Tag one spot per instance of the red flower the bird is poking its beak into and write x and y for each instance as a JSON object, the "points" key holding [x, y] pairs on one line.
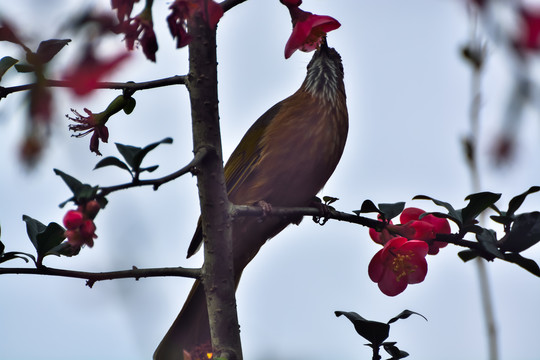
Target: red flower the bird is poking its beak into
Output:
{"points": [[308, 29]]}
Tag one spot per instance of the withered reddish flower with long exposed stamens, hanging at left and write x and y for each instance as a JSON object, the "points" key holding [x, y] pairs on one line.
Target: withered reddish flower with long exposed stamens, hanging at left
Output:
{"points": [[92, 123]]}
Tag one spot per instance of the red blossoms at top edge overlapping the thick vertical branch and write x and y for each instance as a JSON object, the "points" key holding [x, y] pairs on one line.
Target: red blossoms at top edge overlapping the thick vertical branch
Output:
{"points": [[184, 10]]}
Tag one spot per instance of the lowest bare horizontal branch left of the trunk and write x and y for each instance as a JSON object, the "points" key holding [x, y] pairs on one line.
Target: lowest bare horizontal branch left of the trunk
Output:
{"points": [[93, 277]]}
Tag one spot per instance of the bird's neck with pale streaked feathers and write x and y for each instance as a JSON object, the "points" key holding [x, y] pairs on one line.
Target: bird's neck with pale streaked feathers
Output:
{"points": [[324, 79]]}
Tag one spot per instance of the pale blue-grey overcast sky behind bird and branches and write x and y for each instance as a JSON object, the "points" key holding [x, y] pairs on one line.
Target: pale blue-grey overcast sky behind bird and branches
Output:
{"points": [[408, 97]]}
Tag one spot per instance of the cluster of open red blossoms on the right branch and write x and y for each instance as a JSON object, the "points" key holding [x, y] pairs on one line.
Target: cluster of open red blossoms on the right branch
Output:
{"points": [[402, 260]]}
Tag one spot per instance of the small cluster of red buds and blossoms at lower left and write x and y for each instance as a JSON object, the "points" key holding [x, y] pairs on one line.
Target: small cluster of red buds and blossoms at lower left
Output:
{"points": [[80, 226]]}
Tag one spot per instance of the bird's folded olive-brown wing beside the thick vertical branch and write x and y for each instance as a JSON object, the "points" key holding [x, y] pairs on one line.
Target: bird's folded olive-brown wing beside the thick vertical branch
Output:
{"points": [[240, 165]]}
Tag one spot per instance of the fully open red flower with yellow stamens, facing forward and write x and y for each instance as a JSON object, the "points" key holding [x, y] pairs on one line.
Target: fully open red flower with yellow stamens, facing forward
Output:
{"points": [[399, 263]]}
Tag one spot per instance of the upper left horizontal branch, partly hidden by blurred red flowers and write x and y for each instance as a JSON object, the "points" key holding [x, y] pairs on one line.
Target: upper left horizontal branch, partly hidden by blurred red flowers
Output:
{"points": [[130, 85]]}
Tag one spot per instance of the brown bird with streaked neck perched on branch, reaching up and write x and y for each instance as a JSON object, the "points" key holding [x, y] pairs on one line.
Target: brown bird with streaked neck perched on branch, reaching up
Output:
{"points": [[284, 159]]}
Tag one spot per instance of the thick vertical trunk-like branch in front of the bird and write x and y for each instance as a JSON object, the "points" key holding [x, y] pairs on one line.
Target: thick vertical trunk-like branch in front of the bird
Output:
{"points": [[217, 272]]}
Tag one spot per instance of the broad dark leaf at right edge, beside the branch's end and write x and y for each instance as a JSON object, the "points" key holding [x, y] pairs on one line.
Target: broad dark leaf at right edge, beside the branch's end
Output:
{"points": [[524, 233]]}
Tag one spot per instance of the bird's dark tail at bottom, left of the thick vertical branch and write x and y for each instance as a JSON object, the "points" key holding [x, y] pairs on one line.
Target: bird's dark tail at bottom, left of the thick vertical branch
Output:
{"points": [[190, 331]]}
